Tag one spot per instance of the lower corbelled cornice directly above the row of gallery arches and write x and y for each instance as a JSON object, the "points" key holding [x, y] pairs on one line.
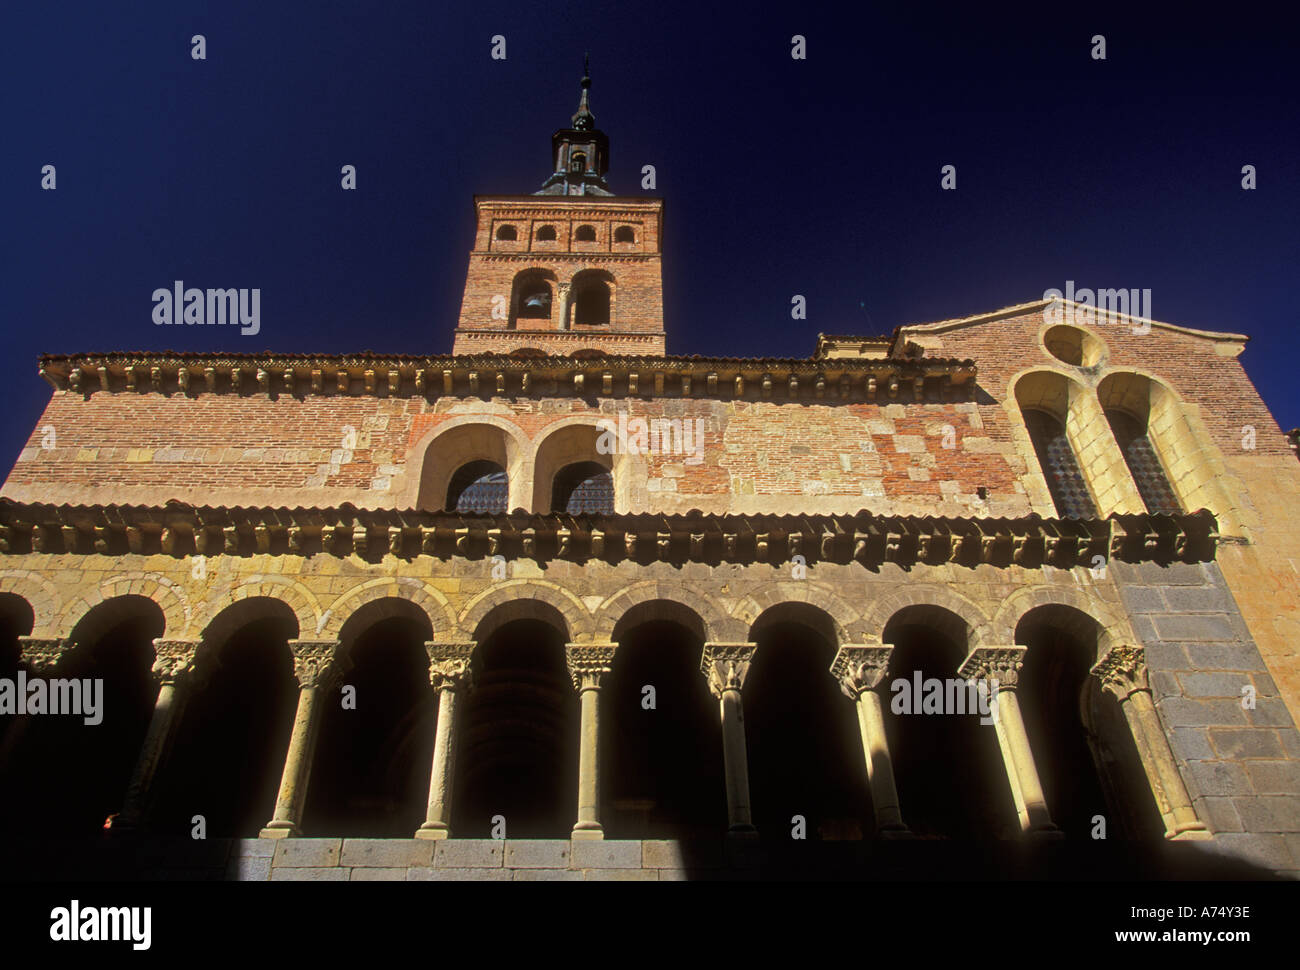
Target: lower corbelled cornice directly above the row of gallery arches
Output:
{"points": [[181, 530]]}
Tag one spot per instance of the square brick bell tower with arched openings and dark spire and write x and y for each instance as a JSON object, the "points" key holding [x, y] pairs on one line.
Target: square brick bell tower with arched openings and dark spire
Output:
{"points": [[571, 270]]}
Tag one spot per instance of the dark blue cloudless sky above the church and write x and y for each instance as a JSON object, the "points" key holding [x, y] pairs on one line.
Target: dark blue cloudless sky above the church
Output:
{"points": [[781, 177]]}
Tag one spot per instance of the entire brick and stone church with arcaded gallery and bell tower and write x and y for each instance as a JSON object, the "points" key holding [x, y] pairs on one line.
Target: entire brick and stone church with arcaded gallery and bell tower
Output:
{"points": [[564, 605]]}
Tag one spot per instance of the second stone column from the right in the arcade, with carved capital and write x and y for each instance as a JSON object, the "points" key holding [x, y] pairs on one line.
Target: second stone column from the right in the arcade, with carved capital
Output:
{"points": [[999, 668]]}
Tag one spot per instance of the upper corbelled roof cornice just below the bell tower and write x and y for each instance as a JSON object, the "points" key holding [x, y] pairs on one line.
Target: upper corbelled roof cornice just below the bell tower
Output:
{"points": [[486, 375]]}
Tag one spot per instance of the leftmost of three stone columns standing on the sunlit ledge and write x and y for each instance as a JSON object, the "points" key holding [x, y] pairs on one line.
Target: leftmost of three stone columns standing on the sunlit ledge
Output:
{"points": [[317, 666]]}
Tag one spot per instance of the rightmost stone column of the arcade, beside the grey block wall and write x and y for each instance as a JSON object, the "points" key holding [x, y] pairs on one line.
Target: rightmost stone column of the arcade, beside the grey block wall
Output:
{"points": [[1124, 673]]}
